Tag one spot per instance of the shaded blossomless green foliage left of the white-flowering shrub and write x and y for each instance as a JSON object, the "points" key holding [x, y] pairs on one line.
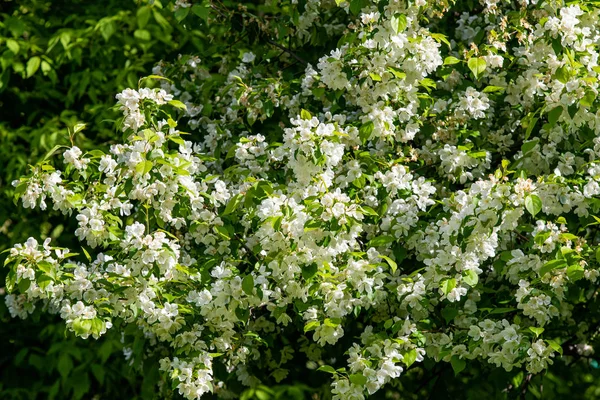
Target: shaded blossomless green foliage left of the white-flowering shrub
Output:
{"points": [[61, 63]]}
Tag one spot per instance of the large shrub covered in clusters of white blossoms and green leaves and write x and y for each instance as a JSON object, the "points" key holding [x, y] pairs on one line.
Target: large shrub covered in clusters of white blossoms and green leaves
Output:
{"points": [[426, 191]]}
